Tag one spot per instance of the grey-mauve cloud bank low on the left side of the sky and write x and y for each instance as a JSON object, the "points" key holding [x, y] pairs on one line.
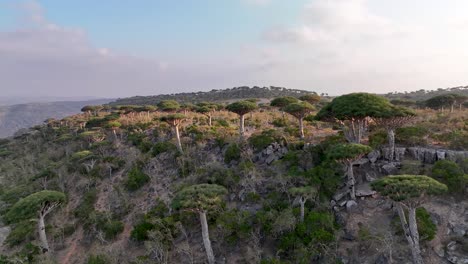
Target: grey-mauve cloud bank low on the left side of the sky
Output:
{"points": [[42, 58]]}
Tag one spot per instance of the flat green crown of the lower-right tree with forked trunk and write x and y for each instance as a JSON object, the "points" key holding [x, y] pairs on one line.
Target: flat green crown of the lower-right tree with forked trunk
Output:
{"points": [[403, 188]]}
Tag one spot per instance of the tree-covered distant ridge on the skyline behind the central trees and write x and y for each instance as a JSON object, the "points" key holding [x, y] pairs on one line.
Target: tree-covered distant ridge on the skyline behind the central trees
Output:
{"points": [[242, 92]]}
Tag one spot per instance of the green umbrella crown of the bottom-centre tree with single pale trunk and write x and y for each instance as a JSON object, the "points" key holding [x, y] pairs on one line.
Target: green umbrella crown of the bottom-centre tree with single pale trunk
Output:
{"points": [[200, 197]]}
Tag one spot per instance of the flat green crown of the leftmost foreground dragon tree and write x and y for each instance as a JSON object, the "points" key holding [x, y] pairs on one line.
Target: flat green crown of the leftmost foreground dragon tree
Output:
{"points": [[28, 207]]}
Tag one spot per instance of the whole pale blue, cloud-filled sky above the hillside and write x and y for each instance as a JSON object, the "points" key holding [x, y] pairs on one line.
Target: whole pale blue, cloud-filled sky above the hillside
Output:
{"points": [[146, 47]]}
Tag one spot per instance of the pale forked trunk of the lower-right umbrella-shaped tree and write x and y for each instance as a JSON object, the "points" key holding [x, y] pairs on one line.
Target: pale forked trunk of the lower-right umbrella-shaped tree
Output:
{"points": [[411, 232]]}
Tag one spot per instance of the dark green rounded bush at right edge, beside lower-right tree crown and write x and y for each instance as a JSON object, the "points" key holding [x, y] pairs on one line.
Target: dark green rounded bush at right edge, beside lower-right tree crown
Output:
{"points": [[449, 173]]}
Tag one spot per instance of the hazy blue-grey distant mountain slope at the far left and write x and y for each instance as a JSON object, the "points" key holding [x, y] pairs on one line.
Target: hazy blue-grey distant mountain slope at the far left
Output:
{"points": [[15, 117]]}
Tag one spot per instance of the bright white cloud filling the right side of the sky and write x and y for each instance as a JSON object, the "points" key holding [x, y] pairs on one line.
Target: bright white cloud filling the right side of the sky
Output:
{"points": [[340, 46]]}
